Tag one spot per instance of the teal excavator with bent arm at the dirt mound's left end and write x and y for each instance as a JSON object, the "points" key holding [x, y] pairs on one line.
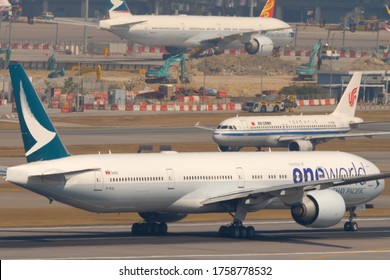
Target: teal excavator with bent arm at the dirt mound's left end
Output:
{"points": [[163, 74]]}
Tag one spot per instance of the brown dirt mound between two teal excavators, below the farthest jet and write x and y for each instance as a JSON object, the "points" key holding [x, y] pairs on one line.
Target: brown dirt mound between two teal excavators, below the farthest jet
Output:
{"points": [[241, 65]]}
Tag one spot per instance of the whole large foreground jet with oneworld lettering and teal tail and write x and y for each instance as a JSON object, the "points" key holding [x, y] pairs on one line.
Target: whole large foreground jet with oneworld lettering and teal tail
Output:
{"points": [[165, 187]]}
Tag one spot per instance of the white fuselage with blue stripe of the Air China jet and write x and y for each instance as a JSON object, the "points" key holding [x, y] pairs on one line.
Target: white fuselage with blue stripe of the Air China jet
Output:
{"points": [[269, 131]]}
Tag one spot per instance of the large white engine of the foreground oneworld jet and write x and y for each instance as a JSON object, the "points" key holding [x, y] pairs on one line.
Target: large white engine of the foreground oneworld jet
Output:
{"points": [[319, 209]]}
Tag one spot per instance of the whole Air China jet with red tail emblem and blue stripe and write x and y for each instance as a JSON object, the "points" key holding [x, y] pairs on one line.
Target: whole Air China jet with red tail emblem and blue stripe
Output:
{"points": [[296, 132]]}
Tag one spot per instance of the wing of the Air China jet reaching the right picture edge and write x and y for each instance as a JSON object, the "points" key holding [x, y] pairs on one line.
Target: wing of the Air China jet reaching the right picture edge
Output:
{"points": [[341, 136]]}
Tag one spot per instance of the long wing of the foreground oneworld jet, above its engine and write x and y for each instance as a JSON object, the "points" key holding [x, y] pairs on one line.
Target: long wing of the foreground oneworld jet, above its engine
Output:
{"points": [[280, 190]]}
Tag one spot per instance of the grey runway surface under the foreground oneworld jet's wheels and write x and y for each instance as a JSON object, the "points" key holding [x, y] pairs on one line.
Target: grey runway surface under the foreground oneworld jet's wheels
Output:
{"points": [[274, 240]]}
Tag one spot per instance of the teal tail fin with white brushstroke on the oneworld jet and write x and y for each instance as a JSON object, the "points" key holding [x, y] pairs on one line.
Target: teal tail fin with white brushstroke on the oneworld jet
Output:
{"points": [[40, 138]]}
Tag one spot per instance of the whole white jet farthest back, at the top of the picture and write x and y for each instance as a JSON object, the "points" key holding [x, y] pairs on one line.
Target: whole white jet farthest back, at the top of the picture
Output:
{"points": [[182, 33]]}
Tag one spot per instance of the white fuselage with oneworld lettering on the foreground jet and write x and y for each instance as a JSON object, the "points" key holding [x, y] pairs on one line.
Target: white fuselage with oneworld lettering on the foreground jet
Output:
{"points": [[181, 182]]}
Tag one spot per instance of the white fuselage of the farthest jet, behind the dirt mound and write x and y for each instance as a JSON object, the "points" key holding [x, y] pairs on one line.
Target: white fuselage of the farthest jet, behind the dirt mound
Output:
{"points": [[189, 31]]}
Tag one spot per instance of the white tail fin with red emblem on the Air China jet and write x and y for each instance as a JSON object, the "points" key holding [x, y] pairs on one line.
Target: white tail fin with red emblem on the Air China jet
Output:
{"points": [[348, 102]]}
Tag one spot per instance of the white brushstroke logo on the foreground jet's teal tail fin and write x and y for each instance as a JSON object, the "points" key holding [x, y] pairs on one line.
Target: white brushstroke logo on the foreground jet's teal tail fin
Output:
{"points": [[41, 135]]}
